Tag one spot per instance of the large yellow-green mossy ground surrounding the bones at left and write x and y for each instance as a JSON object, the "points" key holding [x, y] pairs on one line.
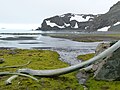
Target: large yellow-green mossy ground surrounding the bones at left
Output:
{"points": [[40, 59]]}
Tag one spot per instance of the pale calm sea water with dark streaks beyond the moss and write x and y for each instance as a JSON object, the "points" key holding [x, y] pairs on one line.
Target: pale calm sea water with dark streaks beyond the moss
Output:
{"points": [[39, 41]]}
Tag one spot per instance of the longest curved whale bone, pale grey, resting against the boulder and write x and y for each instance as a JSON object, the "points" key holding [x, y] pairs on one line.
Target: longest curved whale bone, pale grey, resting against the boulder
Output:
{"points": [[74, 67]]}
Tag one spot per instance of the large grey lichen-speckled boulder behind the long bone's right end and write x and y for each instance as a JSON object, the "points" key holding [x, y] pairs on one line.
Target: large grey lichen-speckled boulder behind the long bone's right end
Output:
{"points": [[109, 68]]}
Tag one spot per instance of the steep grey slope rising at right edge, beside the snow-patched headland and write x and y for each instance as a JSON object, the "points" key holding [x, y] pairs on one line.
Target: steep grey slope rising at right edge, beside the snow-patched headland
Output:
{"points": [[111, 19]]}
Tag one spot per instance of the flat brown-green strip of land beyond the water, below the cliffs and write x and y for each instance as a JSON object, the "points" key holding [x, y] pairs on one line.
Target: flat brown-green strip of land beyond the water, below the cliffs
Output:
{"points": [[87, 37]]}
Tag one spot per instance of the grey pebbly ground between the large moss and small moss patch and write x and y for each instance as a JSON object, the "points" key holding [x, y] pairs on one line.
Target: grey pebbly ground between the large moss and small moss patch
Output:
{"points": [[70, 55]]}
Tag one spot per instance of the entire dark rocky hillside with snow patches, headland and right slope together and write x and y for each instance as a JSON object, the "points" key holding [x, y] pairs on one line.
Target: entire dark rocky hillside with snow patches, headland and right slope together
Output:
{"points": [[85, 22]]}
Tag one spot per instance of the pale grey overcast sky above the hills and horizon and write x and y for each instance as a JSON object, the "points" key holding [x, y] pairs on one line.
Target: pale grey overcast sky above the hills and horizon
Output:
{"points": [[34, 11]]}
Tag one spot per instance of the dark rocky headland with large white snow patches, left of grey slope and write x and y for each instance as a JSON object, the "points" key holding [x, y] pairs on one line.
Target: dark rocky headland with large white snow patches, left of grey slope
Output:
{"points": [[68, 21]]}
